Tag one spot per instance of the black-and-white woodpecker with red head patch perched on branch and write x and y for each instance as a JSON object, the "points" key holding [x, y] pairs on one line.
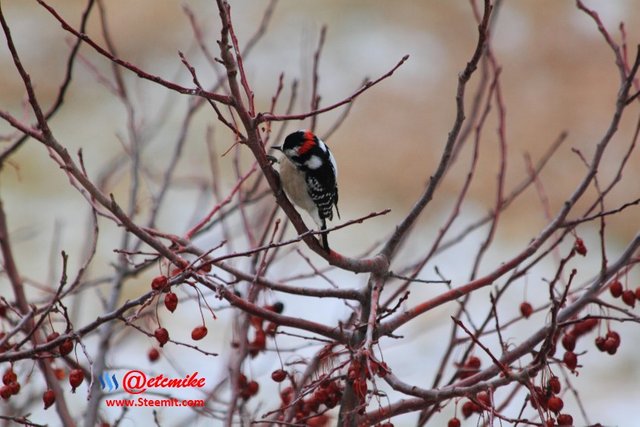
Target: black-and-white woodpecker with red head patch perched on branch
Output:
{"points": [[309, 176]]}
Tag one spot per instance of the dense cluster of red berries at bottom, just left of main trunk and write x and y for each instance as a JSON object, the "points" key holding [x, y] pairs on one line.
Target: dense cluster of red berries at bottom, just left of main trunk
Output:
{"points": [[327, 394]]}
